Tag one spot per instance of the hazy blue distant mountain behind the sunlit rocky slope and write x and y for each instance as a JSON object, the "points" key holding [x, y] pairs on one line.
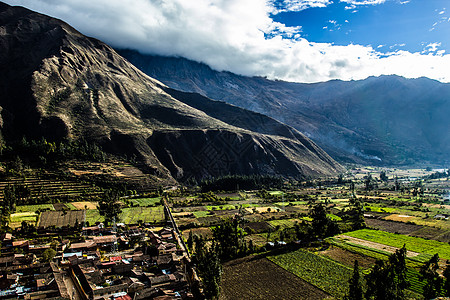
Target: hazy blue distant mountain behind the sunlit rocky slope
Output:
{"points": [[386, 120]]}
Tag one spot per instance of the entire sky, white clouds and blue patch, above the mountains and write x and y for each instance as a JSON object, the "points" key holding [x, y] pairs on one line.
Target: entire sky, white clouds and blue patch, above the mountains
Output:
{"points": [[294, 40]]}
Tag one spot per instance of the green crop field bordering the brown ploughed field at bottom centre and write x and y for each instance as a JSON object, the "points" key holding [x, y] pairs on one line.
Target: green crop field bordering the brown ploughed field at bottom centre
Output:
{"points": [[322, 272]]}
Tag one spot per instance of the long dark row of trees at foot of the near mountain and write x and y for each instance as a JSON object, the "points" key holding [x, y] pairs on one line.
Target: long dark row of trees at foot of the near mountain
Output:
{"points": [[236, 182]]}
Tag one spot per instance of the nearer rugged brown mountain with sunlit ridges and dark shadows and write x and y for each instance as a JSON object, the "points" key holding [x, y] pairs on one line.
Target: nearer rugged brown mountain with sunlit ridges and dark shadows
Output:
{"points": [[59, 84]]}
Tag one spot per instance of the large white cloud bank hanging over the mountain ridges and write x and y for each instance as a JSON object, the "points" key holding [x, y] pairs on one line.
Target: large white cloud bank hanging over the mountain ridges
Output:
{"points": [[234, 35]]}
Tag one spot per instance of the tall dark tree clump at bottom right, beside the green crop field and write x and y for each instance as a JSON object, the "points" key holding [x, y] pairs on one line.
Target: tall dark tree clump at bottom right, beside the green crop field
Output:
{"points": [[387, 280]]}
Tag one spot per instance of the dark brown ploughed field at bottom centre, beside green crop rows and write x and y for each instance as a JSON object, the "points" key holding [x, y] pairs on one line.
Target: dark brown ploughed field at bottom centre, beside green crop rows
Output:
{"points": [[259, 278]]}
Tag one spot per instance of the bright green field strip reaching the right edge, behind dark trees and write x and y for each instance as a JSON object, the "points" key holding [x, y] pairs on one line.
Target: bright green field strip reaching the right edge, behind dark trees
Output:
{"points": [[420, 245]]}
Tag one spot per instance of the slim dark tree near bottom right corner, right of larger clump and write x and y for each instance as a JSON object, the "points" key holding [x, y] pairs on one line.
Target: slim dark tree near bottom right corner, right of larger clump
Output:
{"points": [[433, 282]]}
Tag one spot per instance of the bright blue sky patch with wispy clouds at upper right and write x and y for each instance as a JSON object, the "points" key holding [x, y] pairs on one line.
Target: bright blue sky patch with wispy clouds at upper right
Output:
{"points": [[388, 26]]}
